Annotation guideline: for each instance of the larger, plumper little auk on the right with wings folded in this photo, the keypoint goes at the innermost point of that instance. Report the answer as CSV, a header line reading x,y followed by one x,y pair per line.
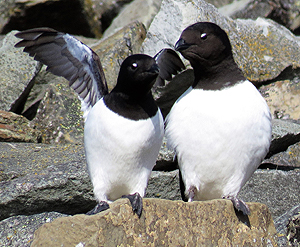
x,y
220,128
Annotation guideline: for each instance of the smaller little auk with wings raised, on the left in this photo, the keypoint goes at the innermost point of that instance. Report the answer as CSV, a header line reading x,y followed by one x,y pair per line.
x,y
124,128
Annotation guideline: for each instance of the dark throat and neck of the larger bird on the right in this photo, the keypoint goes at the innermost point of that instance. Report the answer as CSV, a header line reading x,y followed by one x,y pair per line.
x,y
217,77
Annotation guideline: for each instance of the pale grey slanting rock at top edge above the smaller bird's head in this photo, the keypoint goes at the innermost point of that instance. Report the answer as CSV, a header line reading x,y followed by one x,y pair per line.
x,y
138,10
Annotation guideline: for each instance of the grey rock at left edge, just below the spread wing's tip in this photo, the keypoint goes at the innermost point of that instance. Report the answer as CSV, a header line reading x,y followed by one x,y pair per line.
x,y
17,73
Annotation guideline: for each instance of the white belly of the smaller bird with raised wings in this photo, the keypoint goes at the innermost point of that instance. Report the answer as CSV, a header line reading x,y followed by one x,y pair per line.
x,y
120,152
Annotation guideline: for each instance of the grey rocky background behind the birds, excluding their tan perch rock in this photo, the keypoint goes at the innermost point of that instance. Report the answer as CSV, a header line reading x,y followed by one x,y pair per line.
x,y
42,164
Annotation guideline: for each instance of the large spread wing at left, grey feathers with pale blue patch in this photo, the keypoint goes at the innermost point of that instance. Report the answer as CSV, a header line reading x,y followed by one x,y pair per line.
x,y
66,56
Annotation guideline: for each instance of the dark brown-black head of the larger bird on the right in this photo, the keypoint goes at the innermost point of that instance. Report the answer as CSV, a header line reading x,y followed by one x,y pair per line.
x,y
204,43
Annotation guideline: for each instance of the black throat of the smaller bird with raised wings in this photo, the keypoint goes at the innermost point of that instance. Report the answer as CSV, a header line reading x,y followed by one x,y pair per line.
x,y
143,107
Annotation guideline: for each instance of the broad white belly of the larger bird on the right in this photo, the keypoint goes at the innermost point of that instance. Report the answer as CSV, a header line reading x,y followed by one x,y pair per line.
x,y
220,138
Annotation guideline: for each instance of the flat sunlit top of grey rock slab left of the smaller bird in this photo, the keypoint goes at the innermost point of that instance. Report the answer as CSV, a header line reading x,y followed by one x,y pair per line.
x,y
27,159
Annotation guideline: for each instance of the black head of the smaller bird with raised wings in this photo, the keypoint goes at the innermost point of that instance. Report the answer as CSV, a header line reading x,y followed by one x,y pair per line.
x,y
137,75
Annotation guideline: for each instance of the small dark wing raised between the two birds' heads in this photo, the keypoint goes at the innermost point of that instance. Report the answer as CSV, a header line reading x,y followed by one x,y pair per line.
x,y
169,64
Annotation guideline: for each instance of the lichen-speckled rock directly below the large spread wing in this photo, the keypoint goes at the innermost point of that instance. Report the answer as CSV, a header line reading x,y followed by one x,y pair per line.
x,y
59,115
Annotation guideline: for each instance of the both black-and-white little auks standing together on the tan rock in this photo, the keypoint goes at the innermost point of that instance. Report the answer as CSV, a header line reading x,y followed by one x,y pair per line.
x,y
220,128
